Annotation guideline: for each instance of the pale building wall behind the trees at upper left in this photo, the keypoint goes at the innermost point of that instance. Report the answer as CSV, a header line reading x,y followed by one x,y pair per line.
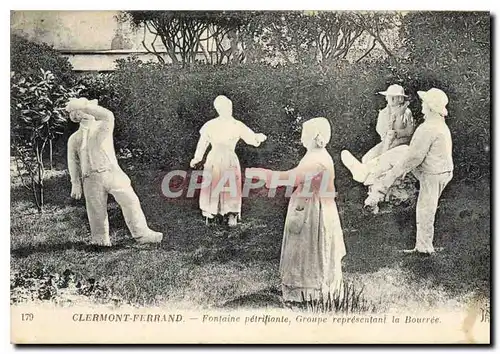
x,y
91,40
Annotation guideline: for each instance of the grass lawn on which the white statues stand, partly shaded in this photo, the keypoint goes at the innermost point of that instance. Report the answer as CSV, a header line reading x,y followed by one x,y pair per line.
x,y
214,266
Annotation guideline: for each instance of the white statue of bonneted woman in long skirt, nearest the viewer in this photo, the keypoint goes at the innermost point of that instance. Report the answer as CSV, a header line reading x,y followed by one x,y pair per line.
x,y
313,244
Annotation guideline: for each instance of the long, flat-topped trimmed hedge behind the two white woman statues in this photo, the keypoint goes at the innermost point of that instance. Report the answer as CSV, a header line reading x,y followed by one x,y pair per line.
x,y
161,111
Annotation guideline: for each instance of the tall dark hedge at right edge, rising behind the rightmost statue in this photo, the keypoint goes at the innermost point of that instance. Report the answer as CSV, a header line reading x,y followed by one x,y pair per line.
x,y
452,49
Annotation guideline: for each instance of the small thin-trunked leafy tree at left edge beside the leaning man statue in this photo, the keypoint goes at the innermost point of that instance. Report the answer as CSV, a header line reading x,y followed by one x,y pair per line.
x,y
37,118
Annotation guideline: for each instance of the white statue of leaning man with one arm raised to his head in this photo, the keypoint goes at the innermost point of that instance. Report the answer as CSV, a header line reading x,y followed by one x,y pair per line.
x,y
92,162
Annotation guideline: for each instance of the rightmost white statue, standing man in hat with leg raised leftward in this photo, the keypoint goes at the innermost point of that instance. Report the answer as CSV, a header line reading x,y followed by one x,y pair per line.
x,y
428,157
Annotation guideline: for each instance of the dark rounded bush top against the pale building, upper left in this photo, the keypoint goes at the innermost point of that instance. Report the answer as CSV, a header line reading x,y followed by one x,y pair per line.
x,y
27,58
